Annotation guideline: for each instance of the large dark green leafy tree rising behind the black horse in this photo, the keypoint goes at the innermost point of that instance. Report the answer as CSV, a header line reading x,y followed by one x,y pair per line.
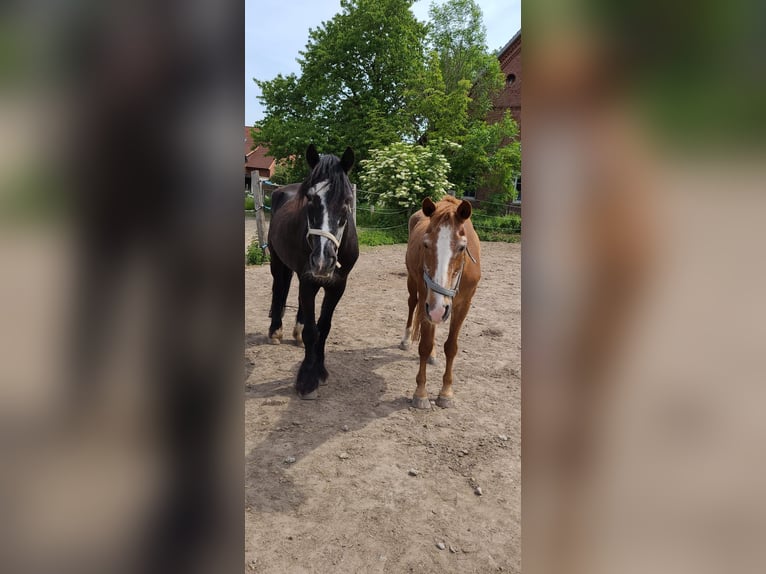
x,y
356,70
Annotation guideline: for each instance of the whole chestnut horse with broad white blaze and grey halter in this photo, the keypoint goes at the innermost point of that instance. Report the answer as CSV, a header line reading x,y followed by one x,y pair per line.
x,y
443,270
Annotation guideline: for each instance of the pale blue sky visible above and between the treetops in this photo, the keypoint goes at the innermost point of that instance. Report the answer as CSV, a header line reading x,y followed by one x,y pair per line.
x,y
276,30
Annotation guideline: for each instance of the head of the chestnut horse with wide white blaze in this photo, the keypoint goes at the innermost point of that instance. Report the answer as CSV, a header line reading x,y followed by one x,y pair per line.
x,y
444,245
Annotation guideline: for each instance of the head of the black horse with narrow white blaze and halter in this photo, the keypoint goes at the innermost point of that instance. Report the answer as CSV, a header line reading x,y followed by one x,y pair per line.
x,y
329,202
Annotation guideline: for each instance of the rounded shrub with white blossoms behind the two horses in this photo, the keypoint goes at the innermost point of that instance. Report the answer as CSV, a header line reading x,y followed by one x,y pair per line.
x,y
402,175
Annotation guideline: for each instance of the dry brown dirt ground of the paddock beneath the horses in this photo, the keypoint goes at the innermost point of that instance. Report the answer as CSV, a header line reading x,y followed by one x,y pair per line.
x,y
348,503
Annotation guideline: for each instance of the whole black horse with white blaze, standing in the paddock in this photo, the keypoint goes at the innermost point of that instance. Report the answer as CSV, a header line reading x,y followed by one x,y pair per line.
x,y
312,234
